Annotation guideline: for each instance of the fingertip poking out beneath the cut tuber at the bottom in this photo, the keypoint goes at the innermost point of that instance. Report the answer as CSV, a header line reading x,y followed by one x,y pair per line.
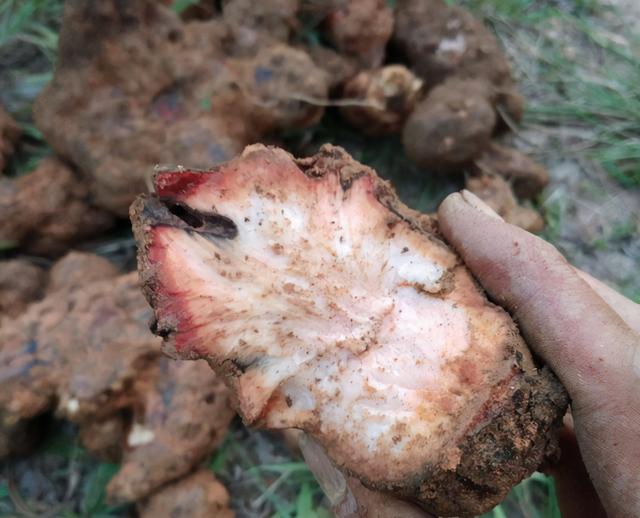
x,y
347,496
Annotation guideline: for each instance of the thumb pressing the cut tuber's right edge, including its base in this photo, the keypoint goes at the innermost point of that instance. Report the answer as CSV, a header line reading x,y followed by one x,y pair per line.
x,y
592,349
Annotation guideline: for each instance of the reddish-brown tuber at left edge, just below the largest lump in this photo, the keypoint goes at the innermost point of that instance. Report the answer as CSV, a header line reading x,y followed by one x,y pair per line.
x,y
49,209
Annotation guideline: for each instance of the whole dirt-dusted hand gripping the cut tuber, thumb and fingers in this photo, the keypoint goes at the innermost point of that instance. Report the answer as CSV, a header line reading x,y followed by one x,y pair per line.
x,y
589,335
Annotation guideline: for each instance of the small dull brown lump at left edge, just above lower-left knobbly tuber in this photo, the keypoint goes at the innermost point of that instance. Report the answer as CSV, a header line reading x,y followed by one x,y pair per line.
x,y
21,282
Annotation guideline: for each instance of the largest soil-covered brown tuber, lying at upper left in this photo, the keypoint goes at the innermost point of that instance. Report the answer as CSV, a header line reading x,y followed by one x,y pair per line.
x,y
137,86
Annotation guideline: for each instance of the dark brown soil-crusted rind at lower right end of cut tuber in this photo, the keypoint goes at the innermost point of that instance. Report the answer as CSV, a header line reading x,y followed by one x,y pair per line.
x,y
493,459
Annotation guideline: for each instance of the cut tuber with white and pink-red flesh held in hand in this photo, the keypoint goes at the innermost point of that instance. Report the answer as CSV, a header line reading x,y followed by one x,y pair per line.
x,y
331,307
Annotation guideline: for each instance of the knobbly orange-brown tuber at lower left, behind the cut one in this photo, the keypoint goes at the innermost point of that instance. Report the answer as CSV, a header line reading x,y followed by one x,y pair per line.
x,y
86,353
